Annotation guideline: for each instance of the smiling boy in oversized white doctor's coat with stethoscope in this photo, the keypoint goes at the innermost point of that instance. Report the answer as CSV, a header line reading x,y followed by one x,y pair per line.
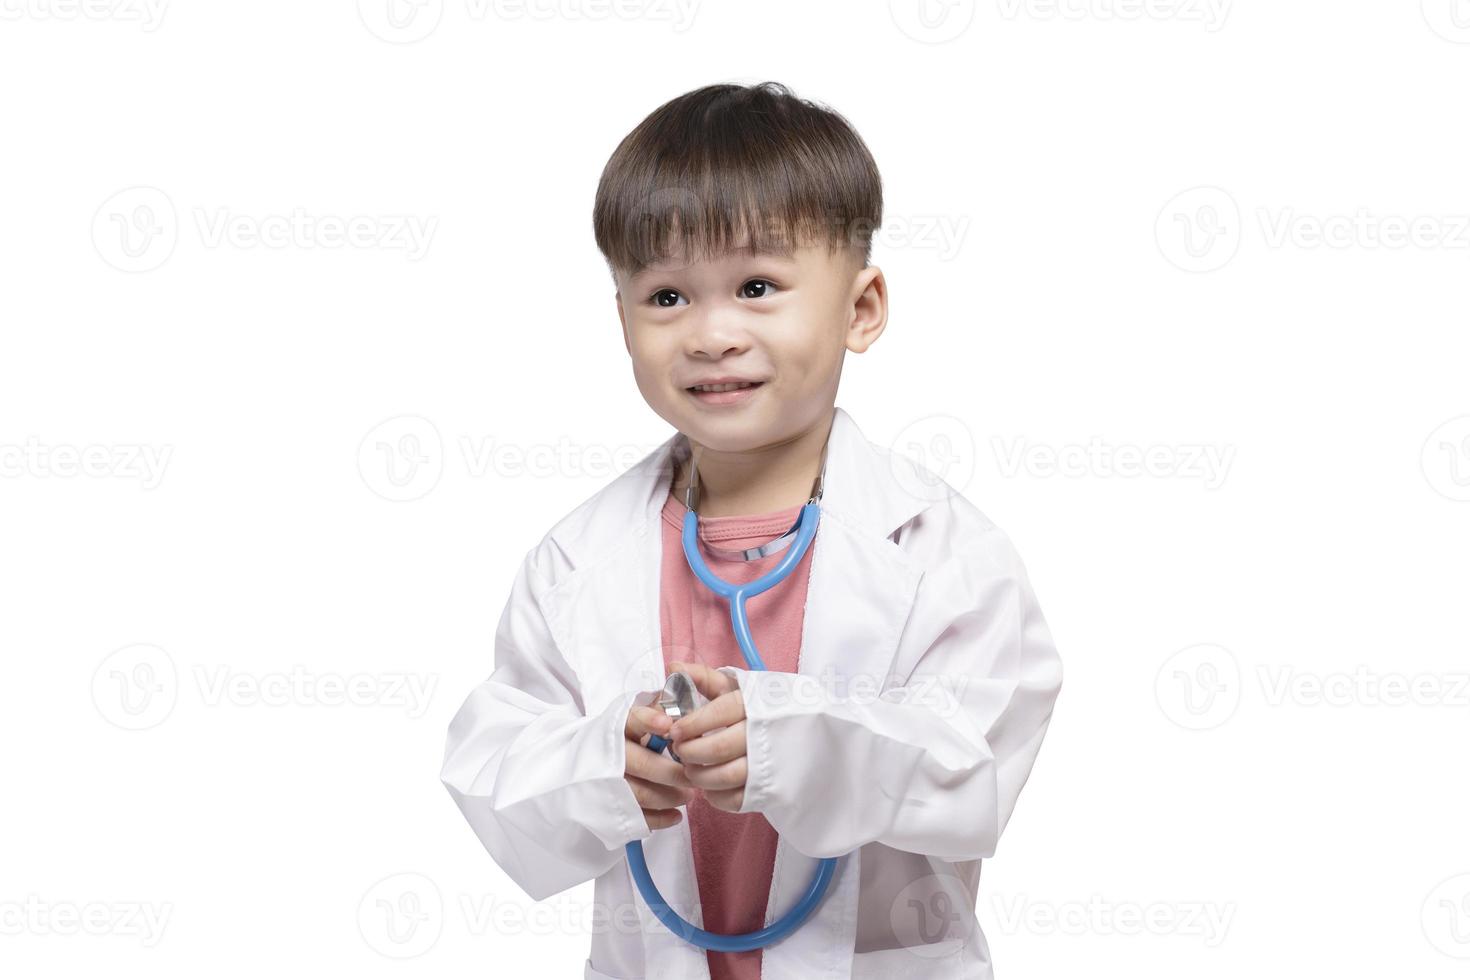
x,y
909,674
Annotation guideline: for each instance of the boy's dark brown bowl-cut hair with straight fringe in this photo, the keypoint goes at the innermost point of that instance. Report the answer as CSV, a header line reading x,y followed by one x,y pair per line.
x,y
728,159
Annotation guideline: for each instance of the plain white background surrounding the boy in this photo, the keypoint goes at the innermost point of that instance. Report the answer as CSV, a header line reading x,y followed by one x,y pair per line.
x,y
1258,760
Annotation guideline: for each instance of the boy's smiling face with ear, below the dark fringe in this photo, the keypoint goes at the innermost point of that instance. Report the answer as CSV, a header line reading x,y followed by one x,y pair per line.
x,y
783,321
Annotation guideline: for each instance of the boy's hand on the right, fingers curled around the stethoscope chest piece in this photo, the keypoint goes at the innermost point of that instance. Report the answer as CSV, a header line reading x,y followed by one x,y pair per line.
x,y
715,763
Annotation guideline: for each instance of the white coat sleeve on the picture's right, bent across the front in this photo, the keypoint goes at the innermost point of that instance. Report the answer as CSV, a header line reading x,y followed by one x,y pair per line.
x,y
934,766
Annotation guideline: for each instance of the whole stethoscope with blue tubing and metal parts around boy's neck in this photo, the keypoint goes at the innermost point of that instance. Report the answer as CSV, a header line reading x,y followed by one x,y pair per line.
x,y
680,697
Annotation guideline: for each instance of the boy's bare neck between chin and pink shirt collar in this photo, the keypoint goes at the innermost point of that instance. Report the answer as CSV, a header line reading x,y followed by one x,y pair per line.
x,y
756,481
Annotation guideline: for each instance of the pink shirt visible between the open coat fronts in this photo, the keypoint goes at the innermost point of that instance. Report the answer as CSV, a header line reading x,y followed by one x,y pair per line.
x,y
734,854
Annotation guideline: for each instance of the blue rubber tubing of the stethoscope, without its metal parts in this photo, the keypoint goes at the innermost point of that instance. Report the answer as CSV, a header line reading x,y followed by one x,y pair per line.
x,y
737,596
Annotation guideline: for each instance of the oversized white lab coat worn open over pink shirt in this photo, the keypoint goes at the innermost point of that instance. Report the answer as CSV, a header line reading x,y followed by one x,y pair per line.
x,y
918,594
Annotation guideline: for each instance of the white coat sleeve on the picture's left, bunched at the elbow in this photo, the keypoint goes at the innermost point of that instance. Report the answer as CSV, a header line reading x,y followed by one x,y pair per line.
x,y
537,775
